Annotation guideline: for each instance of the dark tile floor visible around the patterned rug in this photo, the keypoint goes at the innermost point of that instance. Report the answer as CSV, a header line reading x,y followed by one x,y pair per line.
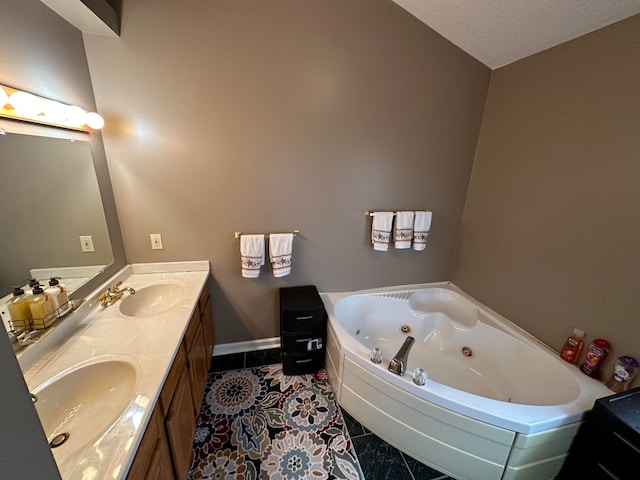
x,y
378,459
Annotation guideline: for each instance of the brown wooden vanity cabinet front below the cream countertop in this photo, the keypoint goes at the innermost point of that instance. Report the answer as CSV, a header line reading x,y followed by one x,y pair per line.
x,y
165,451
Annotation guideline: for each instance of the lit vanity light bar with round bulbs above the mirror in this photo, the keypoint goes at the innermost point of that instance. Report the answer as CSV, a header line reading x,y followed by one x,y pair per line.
x,y
18,105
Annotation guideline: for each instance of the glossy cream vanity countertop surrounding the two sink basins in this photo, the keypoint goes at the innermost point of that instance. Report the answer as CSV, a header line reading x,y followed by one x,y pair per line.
x,y
94,333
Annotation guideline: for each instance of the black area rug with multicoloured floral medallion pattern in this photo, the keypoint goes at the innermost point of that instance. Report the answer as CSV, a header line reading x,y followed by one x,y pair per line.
x,y
257,423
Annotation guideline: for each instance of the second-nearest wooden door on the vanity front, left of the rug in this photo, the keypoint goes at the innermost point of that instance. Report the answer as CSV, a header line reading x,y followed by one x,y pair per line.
x,y
180,424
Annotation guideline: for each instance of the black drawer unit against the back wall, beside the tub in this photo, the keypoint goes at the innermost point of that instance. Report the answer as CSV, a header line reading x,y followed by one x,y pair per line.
x,y
303,330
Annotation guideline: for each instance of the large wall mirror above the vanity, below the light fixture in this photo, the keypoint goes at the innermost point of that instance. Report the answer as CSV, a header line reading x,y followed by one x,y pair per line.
x,y
50,198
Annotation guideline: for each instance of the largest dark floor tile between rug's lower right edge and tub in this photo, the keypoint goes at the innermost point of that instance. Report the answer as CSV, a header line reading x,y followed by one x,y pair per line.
x,y
379,460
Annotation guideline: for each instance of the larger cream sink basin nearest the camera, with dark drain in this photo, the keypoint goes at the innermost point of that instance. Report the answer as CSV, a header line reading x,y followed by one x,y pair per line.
x,y
84,402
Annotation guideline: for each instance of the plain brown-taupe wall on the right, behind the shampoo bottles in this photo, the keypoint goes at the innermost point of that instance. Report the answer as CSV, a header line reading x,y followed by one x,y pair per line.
x,y
551,228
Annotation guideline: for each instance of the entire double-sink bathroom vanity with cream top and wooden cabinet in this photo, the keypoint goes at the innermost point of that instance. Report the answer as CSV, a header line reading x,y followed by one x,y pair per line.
x,y
124,382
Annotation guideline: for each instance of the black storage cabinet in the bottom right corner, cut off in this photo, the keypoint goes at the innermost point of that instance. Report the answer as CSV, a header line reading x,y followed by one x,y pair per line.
x,y
607,446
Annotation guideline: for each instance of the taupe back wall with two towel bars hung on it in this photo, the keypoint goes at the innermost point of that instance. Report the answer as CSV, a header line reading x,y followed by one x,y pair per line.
x,y
261,116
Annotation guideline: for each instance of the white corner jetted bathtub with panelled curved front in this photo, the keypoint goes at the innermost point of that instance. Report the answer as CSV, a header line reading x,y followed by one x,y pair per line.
x,y
498,403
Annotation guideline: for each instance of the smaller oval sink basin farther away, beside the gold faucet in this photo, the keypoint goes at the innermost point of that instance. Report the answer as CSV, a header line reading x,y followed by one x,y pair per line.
x,y
152,300
